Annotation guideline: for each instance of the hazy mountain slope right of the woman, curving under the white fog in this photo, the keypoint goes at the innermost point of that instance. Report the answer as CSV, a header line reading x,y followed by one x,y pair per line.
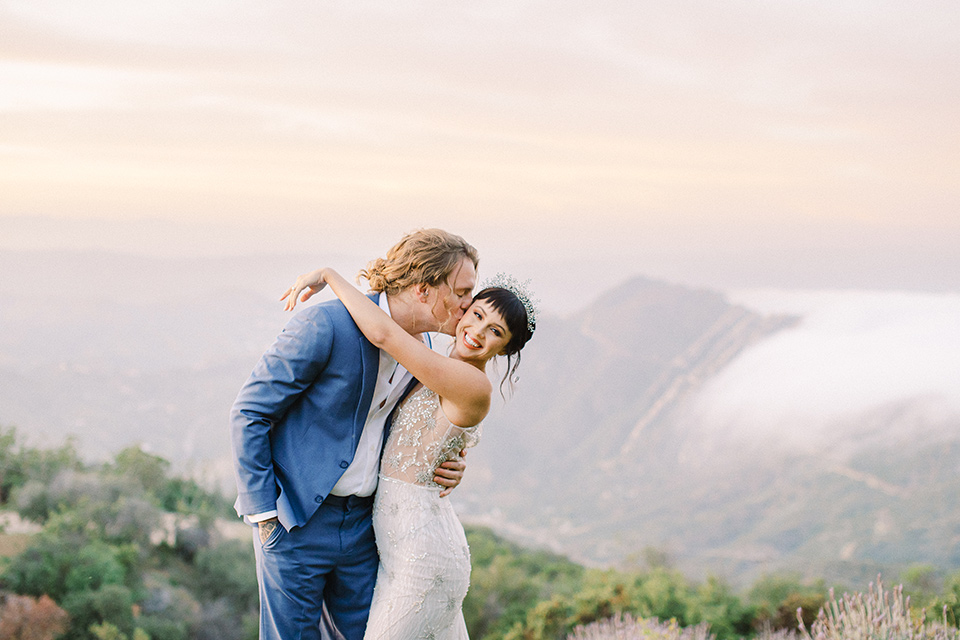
x,y
599,454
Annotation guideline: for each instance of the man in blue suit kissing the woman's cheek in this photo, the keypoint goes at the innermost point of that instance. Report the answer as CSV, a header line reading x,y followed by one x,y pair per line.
x,y
308,428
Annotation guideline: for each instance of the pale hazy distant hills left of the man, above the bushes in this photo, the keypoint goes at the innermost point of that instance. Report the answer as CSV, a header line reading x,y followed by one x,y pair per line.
x,y
119,350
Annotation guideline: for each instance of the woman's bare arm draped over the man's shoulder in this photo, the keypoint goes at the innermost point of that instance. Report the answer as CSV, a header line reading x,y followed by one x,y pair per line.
x,y
459,383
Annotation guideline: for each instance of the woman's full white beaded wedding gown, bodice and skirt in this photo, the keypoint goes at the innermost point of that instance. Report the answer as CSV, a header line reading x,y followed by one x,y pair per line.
x,y
424,560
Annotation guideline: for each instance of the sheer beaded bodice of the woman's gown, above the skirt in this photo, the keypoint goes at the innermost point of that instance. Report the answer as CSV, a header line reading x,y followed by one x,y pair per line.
x,y
421,439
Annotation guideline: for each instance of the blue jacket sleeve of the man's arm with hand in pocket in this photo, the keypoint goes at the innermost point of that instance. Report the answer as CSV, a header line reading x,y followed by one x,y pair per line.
x,y
291,364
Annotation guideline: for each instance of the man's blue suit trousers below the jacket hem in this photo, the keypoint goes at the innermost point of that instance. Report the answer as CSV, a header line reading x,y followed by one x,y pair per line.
x,y
329,562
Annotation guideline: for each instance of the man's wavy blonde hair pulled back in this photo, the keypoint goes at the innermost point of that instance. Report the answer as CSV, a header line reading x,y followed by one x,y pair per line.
x,y
426,256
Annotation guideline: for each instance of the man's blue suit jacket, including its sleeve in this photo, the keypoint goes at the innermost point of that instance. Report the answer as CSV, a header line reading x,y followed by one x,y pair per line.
x,y
296,423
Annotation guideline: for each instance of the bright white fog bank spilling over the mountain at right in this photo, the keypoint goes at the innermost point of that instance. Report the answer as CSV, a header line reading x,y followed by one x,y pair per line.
x,y
859,367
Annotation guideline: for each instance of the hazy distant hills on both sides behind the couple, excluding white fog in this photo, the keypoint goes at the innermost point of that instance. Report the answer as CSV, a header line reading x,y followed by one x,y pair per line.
x,y
599,454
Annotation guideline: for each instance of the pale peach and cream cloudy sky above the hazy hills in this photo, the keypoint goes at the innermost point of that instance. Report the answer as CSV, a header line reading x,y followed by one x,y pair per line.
x,y
791,144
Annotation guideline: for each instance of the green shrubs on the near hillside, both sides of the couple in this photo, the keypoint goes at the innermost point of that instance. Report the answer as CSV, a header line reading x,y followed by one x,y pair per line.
x,y
125,550
